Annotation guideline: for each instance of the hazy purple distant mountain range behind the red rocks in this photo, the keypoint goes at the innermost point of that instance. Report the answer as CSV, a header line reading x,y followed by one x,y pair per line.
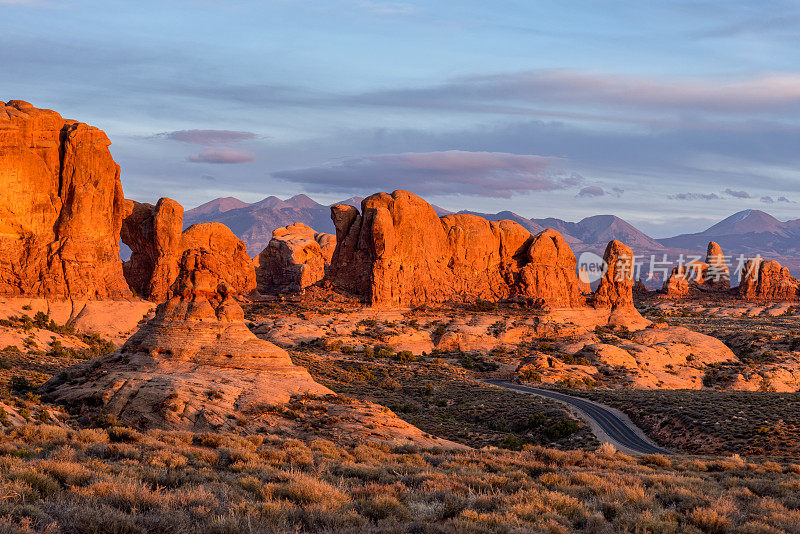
x,y
748,232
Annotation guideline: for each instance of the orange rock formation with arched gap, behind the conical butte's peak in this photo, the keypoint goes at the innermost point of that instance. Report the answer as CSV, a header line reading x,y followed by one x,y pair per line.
x,y
158,245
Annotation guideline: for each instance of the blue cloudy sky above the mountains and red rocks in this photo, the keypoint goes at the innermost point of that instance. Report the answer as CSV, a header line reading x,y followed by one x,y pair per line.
x,y
671,115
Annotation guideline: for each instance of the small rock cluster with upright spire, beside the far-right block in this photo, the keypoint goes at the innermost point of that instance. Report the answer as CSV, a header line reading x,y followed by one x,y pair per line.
x,y
696,277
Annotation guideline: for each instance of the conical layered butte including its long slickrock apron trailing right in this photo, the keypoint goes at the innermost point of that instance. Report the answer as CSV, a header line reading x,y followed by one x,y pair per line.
x,y
196,366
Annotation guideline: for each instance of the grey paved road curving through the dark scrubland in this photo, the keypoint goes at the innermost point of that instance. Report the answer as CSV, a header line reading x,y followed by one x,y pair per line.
x,y
622,432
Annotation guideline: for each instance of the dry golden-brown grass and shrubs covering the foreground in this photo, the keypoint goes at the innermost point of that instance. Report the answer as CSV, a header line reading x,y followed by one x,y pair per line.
x,y
59,480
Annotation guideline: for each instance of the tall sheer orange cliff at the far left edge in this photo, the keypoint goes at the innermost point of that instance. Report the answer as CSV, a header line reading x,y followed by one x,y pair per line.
x,y
61,208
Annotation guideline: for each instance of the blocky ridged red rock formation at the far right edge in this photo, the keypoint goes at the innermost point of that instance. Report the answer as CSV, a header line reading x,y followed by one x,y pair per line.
x,y
768,281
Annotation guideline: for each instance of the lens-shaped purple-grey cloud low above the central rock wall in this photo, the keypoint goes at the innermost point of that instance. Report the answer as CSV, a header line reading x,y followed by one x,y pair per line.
x,y
491,174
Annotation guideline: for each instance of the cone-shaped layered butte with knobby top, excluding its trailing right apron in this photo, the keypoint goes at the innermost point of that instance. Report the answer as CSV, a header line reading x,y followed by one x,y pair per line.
x,y
195,365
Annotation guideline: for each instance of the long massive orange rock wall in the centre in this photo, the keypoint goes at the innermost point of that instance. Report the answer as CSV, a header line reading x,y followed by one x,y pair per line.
x,y
398,252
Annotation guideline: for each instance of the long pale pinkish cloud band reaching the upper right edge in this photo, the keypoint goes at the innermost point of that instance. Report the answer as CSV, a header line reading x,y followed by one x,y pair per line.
x,y
769,92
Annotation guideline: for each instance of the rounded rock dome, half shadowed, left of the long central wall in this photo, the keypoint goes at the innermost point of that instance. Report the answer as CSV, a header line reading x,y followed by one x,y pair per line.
x,y
296,258
